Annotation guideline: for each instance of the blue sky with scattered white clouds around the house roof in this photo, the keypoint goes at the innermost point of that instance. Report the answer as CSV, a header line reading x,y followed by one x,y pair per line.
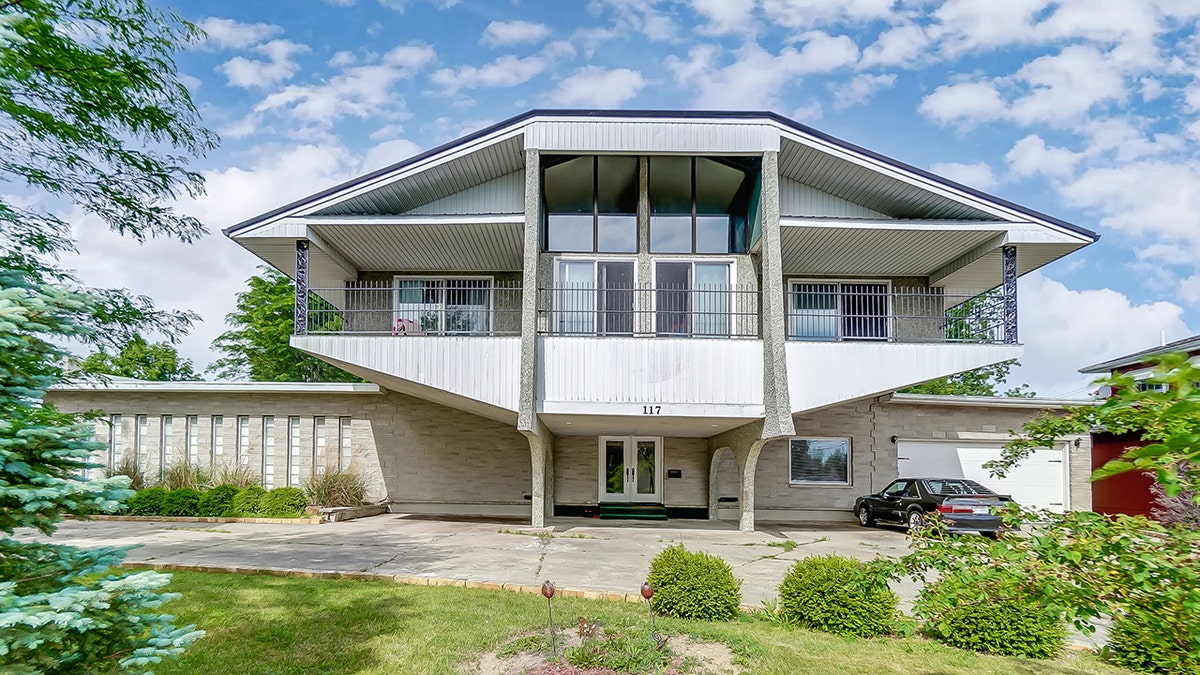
x,y
1085,110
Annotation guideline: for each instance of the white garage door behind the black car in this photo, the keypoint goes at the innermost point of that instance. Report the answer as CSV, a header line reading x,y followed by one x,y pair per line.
x,y
1039,482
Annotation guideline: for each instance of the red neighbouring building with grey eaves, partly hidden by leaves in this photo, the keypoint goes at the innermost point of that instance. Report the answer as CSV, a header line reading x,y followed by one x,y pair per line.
x,y
1129,493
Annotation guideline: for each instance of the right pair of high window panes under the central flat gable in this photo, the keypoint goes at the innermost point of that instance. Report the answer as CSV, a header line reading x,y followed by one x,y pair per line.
x,y
699,205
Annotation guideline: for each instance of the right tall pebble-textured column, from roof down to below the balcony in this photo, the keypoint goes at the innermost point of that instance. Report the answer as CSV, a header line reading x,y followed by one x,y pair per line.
x,y
777,403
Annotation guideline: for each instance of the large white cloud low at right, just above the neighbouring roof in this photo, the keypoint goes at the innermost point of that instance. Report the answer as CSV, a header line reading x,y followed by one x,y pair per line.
x,y
1065,330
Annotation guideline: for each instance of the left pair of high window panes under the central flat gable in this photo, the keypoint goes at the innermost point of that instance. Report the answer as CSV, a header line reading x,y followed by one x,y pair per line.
x,y
591,205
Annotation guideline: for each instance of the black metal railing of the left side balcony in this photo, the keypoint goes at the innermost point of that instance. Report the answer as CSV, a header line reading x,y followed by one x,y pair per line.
x,y
417,307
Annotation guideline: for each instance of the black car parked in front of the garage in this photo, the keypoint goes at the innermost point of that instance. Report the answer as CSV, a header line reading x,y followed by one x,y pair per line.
x,y
964,505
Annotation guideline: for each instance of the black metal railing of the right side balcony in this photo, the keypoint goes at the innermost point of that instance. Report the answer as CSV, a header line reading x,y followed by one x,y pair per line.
x,y
819,312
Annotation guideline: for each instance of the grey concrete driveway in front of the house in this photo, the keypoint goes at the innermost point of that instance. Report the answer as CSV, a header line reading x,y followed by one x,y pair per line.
x,y
585,554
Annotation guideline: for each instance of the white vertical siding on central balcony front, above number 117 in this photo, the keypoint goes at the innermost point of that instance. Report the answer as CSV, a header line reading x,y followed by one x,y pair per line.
x,y
633,371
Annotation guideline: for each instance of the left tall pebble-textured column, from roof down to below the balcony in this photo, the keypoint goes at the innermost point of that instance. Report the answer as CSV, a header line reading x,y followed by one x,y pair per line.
x,y
527,402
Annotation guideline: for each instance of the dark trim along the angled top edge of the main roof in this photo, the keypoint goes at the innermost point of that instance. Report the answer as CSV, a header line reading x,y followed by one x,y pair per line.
x,y
650,115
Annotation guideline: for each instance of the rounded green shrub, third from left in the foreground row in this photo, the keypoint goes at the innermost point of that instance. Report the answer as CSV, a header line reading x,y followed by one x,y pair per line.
x,y
1009,626
